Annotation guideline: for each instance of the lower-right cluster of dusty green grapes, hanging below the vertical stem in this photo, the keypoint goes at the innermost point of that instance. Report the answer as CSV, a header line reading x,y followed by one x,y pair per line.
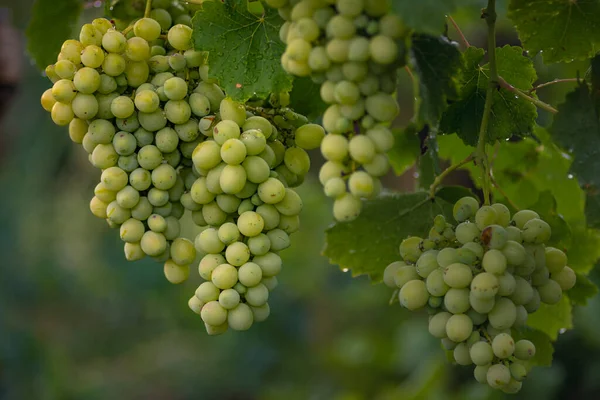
x,y
479,281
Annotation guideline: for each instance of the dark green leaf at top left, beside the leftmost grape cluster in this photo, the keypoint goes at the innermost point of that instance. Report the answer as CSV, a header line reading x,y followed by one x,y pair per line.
x,y
52,22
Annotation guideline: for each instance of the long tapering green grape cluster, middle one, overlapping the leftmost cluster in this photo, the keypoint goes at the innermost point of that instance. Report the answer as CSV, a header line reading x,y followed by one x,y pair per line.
x,y
246,207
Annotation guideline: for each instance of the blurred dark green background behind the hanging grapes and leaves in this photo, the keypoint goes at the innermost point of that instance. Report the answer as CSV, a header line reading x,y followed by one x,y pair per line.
x,y
79,322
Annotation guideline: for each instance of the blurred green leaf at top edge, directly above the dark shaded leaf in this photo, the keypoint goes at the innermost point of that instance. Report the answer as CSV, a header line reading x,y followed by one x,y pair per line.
x,y
429,16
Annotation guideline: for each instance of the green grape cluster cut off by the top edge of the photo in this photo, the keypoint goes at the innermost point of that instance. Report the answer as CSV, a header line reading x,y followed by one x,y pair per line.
x,y
353,48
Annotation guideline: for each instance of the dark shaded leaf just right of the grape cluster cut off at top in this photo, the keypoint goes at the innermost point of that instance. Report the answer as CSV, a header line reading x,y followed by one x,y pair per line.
x,y
436,63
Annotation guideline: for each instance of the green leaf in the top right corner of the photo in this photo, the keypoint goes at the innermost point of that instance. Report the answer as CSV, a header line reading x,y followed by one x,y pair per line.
x,y
563,30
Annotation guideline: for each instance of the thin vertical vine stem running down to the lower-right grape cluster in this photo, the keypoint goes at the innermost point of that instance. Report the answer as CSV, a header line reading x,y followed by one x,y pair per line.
x,y
489,14
